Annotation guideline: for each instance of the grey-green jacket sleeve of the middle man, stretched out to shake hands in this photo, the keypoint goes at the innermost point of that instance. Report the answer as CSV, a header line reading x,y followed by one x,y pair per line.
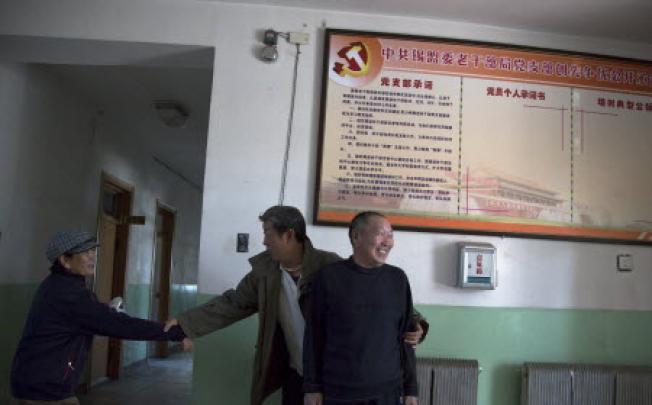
x,y
223,310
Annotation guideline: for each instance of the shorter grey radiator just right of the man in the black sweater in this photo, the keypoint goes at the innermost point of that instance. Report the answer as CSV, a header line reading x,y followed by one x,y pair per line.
x,y
447,381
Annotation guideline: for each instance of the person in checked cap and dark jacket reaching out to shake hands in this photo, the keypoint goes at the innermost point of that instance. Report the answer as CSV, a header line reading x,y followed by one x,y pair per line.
x,y
62,321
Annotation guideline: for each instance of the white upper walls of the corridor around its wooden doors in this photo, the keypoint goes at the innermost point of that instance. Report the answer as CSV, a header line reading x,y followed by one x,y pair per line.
x,y
51,158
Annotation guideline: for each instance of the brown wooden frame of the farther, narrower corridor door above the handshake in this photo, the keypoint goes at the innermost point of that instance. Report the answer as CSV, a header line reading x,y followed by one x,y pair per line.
x,y
163,310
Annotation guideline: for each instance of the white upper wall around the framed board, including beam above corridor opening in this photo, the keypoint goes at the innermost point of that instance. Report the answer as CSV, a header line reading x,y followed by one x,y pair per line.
x,y
246,139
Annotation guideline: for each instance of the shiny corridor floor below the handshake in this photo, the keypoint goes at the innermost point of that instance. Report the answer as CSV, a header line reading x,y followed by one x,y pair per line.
x,y
155,382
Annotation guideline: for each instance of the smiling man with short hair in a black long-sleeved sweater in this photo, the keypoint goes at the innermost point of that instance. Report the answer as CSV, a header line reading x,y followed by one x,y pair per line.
x,y
354,353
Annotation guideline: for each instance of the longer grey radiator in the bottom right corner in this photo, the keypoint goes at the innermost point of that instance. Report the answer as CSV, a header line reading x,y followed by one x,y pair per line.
x,y
583,384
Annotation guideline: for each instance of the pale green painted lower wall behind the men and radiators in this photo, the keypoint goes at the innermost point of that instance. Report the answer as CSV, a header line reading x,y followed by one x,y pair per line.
x,y
501,339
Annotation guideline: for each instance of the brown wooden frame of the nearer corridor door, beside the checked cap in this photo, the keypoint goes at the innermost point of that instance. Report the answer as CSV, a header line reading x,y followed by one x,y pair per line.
x,y
125,194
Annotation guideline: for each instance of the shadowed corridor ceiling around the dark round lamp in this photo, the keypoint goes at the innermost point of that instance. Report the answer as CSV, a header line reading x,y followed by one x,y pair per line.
x,y
126,94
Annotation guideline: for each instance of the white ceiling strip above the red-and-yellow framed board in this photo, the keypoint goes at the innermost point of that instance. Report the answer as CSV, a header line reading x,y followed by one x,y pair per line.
x,y
627,20
